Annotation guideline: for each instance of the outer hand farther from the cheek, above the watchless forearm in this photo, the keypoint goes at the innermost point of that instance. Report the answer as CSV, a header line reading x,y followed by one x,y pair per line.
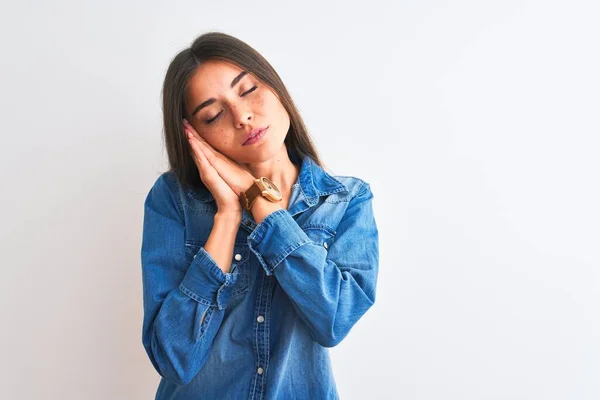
x,y
227,200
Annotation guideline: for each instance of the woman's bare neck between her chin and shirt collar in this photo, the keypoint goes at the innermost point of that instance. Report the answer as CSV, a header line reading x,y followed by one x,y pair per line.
x,y
279,169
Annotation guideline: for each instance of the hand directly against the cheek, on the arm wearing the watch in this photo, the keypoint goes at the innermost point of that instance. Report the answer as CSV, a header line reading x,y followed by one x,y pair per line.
x,y
238,178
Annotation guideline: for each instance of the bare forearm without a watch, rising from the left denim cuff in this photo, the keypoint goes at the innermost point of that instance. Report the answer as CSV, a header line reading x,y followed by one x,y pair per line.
x,y
221,240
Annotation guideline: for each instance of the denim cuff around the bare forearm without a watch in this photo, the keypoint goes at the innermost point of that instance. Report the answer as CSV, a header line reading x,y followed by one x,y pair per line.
x,y
206,283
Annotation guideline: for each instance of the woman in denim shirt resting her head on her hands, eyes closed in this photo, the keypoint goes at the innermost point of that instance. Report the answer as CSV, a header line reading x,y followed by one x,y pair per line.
x,y
255,260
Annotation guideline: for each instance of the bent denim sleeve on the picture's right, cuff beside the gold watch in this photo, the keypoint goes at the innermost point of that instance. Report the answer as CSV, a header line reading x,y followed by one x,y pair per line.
x,y
329,288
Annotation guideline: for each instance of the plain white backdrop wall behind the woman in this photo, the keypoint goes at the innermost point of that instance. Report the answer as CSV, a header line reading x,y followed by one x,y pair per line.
x,y
476,123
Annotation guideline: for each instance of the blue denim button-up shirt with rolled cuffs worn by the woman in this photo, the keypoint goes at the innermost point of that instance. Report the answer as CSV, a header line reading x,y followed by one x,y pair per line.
x,y
299,280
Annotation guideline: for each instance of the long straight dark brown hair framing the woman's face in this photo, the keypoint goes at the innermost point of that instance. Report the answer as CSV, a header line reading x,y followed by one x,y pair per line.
x,y
221,46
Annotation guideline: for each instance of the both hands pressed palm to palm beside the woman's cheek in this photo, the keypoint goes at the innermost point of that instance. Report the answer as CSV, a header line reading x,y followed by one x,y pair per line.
x,y
225,178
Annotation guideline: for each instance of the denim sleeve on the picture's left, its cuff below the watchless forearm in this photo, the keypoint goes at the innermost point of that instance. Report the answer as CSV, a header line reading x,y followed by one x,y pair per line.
x,y
183,302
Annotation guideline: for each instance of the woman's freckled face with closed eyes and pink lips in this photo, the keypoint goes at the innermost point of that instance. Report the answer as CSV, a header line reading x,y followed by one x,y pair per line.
x,y
224,105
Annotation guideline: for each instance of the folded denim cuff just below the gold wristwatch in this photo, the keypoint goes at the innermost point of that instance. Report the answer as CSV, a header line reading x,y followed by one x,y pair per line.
x,y
277,235
